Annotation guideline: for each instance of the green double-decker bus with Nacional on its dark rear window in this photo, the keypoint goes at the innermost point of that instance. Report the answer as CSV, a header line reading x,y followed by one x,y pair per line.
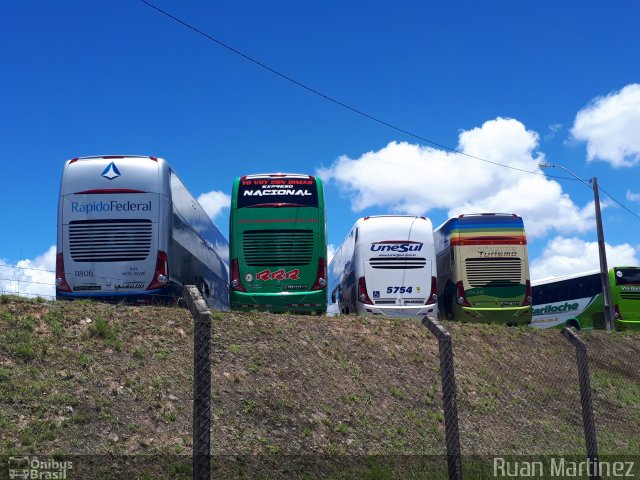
x,y
278,245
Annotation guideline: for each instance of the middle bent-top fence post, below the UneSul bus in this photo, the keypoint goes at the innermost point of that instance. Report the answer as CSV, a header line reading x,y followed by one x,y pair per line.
x,y
448,380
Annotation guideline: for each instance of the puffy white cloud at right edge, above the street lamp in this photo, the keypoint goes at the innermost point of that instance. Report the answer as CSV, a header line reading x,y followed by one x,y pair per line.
x,y
609,125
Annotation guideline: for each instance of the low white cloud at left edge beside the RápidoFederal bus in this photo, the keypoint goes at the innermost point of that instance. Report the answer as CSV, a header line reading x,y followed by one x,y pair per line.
x,y
30,277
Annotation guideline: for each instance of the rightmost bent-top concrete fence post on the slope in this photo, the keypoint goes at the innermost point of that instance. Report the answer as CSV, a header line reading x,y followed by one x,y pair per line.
x,y
588,422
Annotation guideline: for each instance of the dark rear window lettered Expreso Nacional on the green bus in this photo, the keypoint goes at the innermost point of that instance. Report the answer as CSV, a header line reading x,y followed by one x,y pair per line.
x,y
277,192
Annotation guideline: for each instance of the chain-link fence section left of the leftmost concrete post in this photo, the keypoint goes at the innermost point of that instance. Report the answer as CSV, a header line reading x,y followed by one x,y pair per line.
x,y
101,386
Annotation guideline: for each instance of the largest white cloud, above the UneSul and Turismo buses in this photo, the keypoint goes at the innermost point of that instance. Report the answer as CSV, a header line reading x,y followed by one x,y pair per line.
x,y
413,179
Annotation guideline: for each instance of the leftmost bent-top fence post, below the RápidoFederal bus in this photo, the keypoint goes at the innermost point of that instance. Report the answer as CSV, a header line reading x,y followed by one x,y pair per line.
x,y
201,383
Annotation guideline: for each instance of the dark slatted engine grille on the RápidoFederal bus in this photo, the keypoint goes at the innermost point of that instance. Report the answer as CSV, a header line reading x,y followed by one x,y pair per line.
x,y
109,240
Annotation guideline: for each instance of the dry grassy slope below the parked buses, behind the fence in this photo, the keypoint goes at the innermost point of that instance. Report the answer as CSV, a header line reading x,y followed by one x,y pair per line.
x,y
86,378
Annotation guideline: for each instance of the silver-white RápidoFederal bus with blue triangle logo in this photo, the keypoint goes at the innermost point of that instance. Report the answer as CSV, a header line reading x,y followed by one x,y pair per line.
x,y
129,229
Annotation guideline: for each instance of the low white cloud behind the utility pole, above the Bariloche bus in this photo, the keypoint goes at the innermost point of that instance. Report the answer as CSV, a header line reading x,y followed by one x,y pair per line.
x,y
564,256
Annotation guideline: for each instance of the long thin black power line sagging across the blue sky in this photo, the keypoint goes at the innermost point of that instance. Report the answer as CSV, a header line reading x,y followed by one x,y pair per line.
x,y
353,109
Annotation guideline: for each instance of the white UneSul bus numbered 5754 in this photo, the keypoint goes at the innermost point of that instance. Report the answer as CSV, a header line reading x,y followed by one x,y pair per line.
x,y
385,266
